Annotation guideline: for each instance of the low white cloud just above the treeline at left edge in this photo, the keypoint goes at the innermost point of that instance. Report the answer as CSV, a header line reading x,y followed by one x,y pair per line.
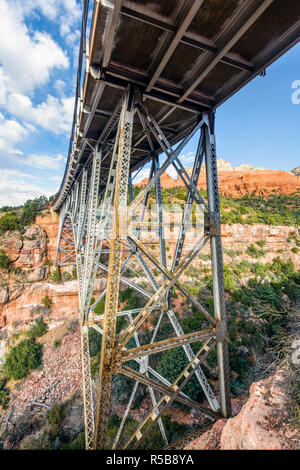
x,y
24,187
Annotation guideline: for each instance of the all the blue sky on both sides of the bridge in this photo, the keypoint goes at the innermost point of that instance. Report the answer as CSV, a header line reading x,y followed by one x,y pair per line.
x,y
38,64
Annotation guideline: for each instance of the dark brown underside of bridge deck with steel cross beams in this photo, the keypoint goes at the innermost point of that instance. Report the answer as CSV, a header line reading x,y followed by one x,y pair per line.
x,y
185,56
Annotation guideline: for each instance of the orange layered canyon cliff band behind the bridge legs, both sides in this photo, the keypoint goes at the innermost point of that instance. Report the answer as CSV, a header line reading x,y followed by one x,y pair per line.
x,y
21,300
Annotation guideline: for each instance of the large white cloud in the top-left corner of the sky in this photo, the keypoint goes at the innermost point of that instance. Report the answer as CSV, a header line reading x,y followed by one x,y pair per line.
x,y
26,59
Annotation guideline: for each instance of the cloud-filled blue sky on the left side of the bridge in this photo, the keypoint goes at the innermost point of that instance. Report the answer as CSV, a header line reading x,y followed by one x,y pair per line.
x,y
38,65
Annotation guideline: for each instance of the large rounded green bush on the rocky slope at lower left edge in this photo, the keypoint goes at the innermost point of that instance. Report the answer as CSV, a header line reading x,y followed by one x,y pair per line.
x,y
22,358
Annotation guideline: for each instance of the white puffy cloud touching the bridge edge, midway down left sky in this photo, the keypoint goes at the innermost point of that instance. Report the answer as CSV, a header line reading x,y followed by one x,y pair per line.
x,y
54,114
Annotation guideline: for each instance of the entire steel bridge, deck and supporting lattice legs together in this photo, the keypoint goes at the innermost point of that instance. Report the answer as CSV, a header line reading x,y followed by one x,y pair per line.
x,y
150,77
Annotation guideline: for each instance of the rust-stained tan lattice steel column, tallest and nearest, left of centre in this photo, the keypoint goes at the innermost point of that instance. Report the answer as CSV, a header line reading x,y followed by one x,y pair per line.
x,y
119,230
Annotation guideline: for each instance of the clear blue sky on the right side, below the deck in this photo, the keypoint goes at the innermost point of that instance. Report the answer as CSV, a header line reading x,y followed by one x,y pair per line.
x,y
260,124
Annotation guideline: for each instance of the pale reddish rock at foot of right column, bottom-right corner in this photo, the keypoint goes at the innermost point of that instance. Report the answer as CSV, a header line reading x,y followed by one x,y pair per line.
x,y
262,423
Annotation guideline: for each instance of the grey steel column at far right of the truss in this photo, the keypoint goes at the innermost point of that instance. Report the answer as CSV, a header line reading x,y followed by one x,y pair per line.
x,y
217,264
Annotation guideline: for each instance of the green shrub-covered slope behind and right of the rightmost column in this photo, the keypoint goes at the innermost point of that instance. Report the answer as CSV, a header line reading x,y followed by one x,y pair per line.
x,y
257,319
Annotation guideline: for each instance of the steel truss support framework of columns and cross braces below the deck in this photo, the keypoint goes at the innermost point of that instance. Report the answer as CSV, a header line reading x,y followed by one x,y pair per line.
x,y
102,230
